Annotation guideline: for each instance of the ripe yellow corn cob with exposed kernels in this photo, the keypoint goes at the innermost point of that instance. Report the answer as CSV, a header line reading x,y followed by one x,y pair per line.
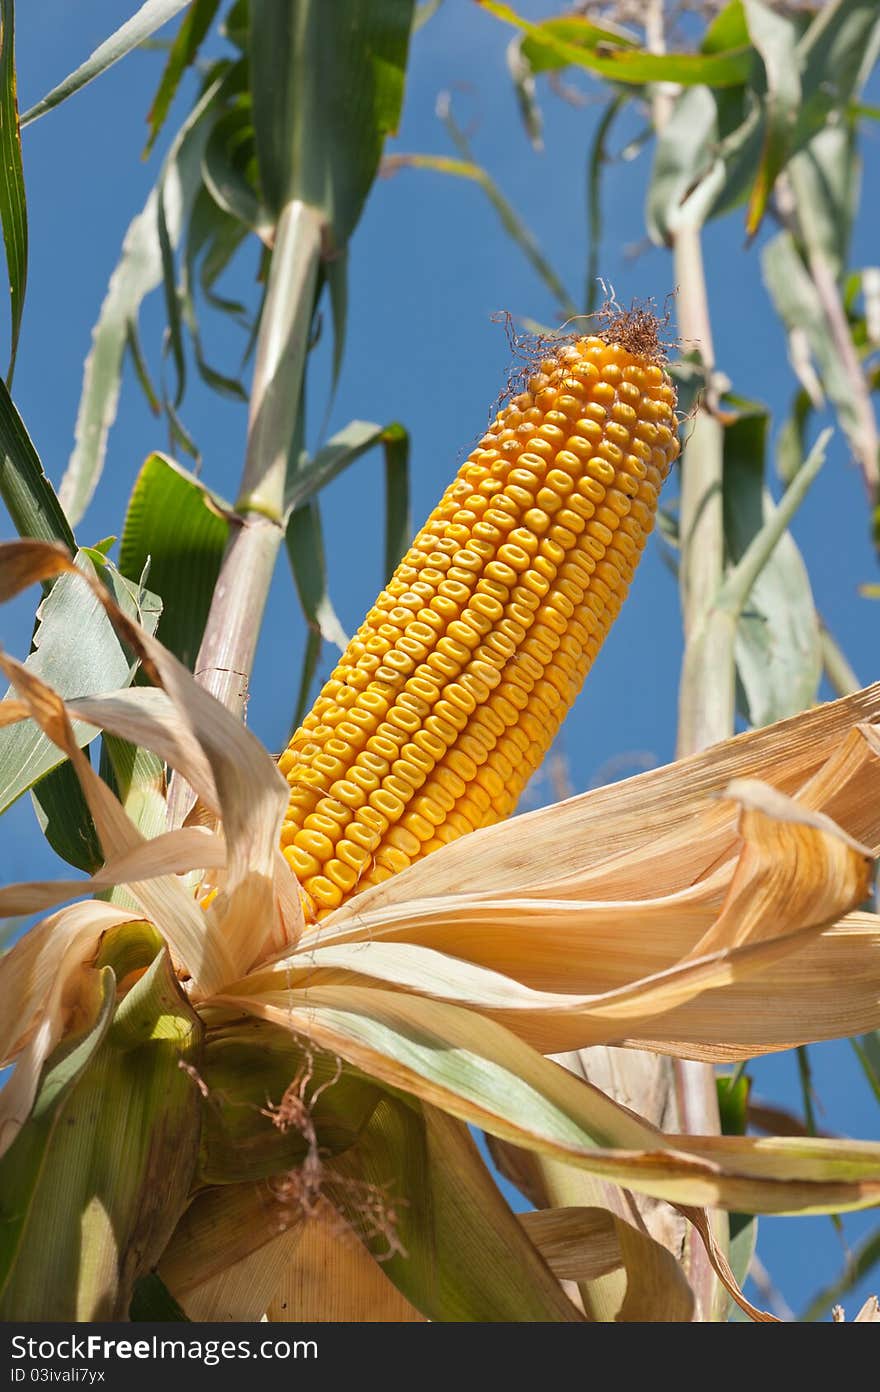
x,y
456,686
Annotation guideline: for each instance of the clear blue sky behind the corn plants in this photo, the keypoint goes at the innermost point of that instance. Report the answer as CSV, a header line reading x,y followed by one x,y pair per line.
x,y
430,268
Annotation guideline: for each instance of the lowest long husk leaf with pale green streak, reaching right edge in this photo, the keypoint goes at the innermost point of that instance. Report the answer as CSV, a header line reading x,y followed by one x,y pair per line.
x,y
469,1066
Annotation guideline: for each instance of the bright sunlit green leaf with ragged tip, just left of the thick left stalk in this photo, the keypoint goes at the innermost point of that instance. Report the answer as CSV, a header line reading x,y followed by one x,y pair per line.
x,y
178,525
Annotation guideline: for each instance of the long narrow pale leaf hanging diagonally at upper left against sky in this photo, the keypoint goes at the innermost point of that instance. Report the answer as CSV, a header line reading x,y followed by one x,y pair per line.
x,y
139,272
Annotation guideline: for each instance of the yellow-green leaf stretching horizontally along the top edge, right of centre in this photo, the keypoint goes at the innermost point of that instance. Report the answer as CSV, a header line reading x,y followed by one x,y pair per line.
x,y
556,44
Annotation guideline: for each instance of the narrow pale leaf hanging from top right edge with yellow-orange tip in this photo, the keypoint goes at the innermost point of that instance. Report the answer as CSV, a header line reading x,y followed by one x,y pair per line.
x,y
776,40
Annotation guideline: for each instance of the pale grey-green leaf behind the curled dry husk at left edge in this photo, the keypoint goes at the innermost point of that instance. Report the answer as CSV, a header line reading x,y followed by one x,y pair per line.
x,y
76,651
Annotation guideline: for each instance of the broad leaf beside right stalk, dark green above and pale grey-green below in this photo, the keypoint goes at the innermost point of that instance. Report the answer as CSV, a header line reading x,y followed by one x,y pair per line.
x,y
779,648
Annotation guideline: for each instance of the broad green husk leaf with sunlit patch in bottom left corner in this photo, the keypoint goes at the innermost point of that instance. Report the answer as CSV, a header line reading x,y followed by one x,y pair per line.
x,y
118,1167
